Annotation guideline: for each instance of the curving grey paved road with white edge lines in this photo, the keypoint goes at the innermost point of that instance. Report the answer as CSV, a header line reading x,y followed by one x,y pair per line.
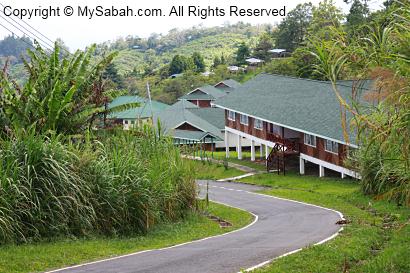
x,y
281,226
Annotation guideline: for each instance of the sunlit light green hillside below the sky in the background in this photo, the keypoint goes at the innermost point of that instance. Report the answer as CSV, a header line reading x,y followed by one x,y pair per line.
x,y
136,54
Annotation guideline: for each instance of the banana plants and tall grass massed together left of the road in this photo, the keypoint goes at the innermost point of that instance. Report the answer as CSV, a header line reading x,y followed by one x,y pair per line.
x,y
59,176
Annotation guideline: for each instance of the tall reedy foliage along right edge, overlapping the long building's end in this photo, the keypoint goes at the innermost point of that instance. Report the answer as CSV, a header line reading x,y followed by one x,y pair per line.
x,y
382,54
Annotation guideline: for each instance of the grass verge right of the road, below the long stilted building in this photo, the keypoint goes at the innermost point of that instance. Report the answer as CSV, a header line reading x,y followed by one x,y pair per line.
x,y
376,240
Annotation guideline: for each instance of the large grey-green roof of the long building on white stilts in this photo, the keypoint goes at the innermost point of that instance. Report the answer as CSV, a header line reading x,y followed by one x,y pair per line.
x,y
305,105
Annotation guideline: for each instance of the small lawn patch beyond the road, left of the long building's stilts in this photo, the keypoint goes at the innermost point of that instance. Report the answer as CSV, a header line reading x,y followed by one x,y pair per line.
x,y
213,171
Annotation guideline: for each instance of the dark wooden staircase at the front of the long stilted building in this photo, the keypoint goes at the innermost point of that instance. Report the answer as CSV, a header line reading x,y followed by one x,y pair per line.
x,y
277,157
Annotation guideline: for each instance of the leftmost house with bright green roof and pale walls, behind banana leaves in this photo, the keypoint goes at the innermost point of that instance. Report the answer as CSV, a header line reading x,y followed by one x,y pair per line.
x,y
138,115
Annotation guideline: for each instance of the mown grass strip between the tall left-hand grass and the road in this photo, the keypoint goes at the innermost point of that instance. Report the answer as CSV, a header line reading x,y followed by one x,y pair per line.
x,y
48,255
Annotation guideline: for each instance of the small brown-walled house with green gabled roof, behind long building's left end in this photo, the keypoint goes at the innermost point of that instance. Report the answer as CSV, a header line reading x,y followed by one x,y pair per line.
x,y
204,95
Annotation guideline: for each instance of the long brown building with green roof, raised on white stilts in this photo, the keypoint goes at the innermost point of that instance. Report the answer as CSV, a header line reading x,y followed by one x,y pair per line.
x,y
289,117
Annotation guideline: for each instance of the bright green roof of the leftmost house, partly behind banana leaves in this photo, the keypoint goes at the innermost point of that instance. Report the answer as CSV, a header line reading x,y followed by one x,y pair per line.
x,y
144,111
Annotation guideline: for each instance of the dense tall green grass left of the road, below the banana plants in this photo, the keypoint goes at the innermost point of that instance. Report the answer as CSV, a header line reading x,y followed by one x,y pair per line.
x,y
121,183
